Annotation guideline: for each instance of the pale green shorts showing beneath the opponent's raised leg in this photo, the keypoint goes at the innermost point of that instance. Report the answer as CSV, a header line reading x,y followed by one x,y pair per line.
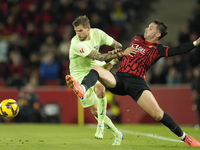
x,y
90,98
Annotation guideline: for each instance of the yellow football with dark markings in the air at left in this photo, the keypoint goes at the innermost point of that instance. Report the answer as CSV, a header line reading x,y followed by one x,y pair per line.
x,y
9,108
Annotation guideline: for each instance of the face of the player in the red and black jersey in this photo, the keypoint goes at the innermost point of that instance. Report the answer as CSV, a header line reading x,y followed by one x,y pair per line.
x,y
151,32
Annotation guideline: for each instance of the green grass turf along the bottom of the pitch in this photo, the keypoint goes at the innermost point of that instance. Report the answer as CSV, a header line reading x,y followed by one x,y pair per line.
x,y
73,137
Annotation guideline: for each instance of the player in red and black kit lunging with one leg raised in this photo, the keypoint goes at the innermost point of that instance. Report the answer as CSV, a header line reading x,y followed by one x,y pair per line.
x,y
130,78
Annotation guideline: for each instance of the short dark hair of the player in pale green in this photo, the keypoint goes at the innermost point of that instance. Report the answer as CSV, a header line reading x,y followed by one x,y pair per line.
x,y
81,20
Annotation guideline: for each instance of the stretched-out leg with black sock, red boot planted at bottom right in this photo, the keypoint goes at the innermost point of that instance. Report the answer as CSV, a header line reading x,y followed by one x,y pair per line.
x,y
150,105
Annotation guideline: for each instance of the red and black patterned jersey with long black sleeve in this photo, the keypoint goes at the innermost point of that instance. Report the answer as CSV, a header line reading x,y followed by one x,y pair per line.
x,y
147,54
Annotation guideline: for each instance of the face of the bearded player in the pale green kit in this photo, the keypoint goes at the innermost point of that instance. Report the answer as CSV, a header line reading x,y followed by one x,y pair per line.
x,y
82,33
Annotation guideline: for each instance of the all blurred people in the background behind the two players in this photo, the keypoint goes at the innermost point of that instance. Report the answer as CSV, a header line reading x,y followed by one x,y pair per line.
x,y
35,39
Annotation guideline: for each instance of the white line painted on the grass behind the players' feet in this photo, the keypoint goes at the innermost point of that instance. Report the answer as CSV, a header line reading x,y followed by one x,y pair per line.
x,y
143,134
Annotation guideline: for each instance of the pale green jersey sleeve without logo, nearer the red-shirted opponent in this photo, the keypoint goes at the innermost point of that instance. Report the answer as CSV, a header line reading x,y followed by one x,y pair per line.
x,y
105,38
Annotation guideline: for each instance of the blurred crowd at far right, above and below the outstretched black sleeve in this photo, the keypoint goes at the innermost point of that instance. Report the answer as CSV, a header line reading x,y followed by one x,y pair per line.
x,y
179,69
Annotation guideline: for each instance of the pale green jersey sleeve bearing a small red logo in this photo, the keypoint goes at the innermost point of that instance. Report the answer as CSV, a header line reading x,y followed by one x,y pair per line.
x,y
81,49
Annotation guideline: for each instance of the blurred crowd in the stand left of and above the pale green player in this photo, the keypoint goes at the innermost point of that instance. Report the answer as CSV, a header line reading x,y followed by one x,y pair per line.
x,y
35,35
